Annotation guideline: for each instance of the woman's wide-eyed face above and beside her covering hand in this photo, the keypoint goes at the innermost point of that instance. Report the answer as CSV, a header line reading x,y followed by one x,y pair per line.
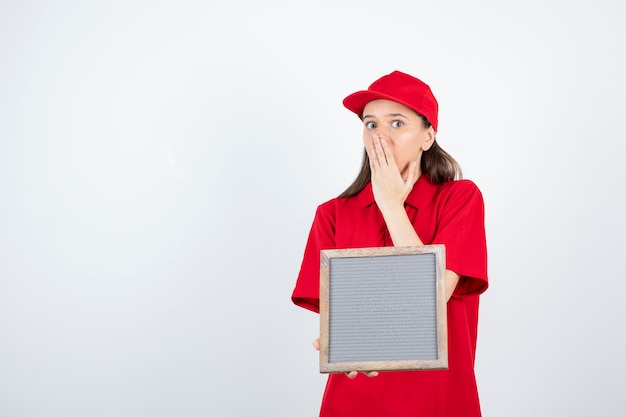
x,y
401,127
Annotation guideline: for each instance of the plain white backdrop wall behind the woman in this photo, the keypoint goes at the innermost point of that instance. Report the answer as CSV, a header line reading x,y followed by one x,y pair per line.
x,y
161,162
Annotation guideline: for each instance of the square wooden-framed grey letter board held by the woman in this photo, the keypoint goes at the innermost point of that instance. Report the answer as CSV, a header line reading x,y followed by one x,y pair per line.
x,y
383,309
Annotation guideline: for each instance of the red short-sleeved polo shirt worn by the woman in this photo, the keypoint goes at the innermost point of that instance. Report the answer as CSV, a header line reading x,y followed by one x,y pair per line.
x,y
452,214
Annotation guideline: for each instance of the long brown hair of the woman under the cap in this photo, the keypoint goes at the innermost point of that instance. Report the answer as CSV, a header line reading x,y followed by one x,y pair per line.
x,y
435,162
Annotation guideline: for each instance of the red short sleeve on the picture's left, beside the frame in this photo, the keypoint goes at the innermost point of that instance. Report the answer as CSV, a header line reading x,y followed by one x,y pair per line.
x,y
321,236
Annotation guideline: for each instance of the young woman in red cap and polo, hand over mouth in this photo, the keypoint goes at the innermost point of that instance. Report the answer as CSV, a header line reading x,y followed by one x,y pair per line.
x,y
408,193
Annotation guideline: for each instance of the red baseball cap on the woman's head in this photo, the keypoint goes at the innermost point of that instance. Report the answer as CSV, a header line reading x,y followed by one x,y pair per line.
x,y
401,88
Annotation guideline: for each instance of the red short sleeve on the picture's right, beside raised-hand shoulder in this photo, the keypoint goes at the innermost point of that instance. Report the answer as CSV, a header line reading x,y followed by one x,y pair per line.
x,y
461,228
